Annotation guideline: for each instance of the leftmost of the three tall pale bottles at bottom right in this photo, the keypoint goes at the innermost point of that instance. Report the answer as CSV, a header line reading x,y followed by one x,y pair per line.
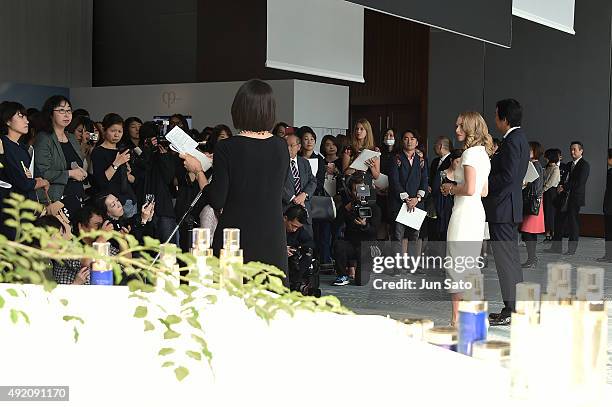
x,y
524,339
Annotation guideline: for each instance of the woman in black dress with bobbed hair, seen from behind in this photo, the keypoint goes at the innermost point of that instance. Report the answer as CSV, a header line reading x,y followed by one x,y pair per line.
x,y
250,171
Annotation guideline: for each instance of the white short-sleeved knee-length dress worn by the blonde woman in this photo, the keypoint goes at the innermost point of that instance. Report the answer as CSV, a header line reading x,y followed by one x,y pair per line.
x,y
466,228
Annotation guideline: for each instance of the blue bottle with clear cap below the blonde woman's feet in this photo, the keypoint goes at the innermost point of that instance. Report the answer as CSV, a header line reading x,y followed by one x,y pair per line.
x,y
472,321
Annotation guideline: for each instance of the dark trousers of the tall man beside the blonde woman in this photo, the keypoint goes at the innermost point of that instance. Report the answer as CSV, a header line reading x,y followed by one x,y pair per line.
x,y
504,244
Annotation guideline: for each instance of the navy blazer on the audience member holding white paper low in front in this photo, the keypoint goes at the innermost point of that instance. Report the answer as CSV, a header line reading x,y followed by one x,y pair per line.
x,y
404,177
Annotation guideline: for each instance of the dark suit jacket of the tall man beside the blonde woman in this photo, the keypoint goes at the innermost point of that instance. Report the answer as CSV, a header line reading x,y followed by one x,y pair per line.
x,y
504,203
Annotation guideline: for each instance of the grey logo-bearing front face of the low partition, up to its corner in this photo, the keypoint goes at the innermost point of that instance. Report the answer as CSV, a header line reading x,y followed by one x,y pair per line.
x,y
208,103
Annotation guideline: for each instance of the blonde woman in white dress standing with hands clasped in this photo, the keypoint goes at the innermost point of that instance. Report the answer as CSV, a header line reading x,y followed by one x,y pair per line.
x,y
467,222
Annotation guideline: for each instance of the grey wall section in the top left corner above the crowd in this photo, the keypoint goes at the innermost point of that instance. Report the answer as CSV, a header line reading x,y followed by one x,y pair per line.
x,y
46,42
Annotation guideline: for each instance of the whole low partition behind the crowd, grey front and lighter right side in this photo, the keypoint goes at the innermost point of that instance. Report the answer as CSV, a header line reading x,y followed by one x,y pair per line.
x,y
297,102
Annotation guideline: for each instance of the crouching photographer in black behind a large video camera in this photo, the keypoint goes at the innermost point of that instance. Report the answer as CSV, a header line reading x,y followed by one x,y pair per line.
x,y
362,218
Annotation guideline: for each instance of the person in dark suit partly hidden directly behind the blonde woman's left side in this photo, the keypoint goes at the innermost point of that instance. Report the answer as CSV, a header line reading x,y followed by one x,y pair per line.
x,y
442,148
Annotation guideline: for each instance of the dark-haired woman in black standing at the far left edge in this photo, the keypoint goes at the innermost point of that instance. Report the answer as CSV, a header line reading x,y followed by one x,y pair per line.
x,y
13,126
